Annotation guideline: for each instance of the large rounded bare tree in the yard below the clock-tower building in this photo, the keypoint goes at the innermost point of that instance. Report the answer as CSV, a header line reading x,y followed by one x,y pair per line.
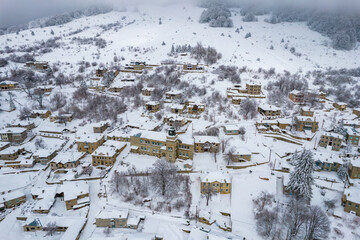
x,y
164,177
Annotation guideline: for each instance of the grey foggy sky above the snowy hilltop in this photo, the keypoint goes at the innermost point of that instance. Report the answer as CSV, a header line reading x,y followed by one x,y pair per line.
x,y
14,12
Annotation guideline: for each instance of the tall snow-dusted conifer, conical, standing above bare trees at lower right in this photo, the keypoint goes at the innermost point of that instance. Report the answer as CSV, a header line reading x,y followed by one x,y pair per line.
x,y
301,179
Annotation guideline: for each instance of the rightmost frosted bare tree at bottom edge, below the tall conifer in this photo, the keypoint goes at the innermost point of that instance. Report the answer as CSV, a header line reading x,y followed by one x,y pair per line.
x,y
317,225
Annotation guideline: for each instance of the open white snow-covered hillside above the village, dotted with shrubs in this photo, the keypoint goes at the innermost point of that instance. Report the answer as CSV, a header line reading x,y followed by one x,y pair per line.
x,y
180,26
